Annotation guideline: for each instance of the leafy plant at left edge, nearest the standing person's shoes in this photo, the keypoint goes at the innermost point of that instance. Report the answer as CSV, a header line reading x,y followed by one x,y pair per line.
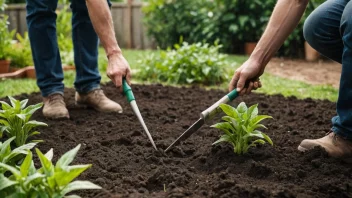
x,y
15,120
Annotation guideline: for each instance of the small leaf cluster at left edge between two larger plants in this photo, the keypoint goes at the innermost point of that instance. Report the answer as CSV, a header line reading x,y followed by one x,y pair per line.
x,y
11,157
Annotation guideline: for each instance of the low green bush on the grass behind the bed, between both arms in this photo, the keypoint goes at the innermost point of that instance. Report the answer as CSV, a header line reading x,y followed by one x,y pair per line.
x,y
196,63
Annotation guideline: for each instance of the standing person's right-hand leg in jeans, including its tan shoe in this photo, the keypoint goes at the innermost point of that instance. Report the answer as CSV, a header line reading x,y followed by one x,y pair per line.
x,y
85,42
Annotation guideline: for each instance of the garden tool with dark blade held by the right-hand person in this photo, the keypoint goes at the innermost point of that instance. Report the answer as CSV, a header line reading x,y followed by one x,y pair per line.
x,y
205,116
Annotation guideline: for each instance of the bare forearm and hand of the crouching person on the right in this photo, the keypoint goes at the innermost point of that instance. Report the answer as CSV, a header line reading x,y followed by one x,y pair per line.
x,y
285,17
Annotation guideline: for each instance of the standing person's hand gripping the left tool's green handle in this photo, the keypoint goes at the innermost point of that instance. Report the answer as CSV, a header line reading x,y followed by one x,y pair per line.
x,y
118,68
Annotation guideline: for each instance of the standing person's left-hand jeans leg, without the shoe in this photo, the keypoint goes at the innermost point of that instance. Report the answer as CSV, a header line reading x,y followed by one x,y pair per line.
x,y
41,22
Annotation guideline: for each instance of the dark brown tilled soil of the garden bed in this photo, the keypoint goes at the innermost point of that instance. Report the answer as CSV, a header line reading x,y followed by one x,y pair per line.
x,y
126,165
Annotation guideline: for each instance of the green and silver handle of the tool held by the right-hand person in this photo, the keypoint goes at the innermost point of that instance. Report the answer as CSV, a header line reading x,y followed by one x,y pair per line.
x,y
214,109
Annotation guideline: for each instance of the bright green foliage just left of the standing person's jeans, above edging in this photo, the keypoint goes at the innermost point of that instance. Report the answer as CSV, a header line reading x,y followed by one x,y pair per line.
x,y
21,54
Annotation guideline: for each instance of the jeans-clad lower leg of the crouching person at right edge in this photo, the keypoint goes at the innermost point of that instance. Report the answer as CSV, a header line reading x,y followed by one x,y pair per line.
x,y
342,124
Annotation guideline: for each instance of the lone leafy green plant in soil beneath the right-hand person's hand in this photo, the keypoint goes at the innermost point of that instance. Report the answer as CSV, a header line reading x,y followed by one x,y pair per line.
x,y
241,127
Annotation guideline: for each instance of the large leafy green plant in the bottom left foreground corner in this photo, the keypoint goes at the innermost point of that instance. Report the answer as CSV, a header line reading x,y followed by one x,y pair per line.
x,y
47,182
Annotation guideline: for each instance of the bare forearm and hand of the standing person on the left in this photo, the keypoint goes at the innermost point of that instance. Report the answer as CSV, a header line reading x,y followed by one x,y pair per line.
x,y
101,18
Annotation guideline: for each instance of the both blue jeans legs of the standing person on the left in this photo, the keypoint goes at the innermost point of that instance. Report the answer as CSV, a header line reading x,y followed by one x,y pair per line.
x,y
41,22
